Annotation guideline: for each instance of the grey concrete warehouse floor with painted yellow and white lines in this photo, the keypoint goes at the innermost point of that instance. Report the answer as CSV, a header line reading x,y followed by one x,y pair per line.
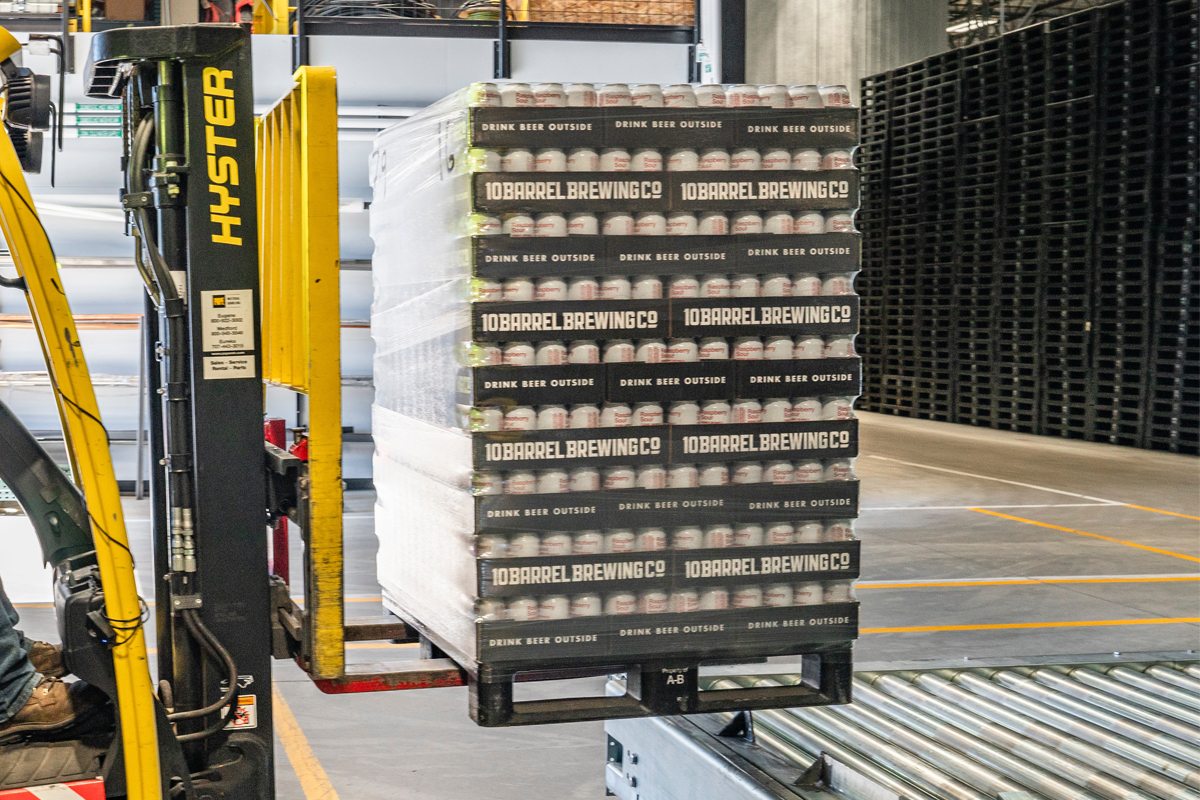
x,y
1073,549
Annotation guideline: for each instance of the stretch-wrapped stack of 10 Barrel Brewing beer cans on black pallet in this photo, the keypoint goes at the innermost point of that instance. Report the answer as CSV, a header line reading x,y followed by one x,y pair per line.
x,y
615,372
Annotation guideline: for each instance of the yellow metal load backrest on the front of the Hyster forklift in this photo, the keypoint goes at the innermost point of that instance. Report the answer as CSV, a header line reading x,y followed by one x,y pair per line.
x,y
302,335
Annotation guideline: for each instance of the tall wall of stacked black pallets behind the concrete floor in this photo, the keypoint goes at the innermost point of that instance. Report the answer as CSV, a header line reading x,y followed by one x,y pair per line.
x,y
1030,224
